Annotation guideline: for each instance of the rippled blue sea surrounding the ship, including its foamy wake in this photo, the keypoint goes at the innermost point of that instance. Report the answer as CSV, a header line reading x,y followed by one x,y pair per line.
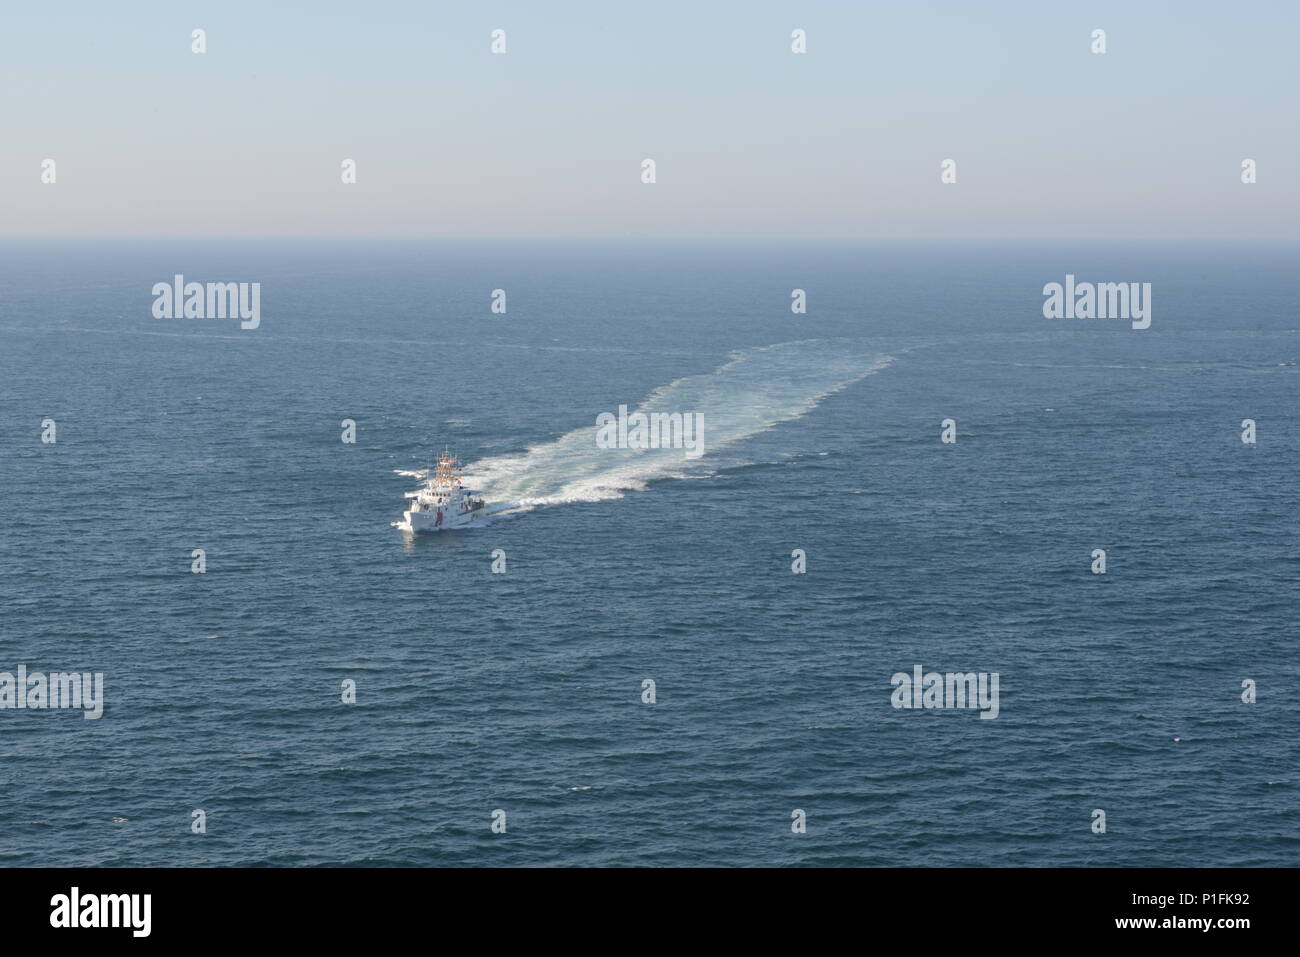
x,y
523,691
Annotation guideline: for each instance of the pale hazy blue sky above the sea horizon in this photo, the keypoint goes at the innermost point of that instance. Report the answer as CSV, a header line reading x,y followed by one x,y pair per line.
x,y
749,138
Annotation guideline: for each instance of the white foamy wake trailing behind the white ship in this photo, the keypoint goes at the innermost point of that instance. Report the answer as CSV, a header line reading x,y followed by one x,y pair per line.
x,y
753,392
